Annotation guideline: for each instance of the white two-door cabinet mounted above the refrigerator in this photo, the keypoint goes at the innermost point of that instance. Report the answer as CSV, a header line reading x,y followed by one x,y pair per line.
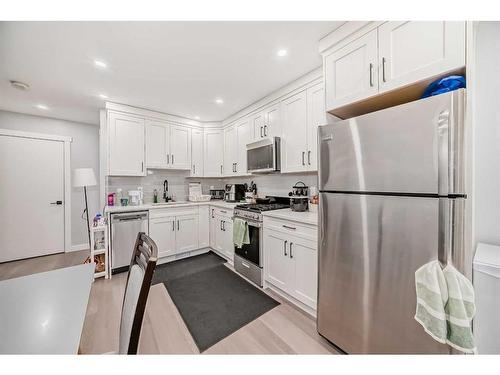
x,y
390,56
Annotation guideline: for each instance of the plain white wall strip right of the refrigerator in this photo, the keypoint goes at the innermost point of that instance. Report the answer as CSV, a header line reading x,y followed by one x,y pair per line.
x,y
487,134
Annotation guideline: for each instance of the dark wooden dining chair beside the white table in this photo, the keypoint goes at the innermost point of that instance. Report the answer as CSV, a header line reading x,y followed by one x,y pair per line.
x,y
139,277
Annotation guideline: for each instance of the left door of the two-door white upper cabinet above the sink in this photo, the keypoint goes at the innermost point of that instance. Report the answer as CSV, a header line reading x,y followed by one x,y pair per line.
x,y
157,144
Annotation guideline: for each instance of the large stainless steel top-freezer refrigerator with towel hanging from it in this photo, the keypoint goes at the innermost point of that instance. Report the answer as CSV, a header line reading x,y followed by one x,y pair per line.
x,y
392,198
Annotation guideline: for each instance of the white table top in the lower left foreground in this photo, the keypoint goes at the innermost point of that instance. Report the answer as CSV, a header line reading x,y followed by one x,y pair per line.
x,y
44,313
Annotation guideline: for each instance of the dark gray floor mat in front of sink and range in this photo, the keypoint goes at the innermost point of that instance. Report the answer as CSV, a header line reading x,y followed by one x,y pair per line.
x,y
213,301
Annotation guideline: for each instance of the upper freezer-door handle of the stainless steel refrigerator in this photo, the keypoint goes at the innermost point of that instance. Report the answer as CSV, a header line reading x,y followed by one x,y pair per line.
x,y
444,169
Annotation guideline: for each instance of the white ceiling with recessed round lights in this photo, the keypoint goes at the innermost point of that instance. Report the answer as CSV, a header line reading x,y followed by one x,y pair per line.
x,y
174,67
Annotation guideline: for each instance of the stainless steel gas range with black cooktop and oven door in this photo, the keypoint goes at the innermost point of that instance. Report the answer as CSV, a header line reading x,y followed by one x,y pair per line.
x,y
248,260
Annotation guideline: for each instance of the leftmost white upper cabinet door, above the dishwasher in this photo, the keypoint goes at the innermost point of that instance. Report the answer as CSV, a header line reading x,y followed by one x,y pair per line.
x,y
126,145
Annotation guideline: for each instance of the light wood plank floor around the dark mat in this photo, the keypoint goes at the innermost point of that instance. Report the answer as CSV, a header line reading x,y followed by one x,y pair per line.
x,y
282,330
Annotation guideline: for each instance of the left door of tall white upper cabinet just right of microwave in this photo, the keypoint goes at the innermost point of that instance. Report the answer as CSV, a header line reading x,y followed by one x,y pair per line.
x,y
294,141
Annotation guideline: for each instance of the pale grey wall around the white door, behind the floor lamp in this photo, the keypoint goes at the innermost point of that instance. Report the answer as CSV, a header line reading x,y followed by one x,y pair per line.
x,y
84,153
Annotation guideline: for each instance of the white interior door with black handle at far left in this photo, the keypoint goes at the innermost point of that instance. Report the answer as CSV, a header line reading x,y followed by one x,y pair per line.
x,y
32,180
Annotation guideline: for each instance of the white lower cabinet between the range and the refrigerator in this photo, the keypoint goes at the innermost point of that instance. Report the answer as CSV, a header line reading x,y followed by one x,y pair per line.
x,y
291,263
